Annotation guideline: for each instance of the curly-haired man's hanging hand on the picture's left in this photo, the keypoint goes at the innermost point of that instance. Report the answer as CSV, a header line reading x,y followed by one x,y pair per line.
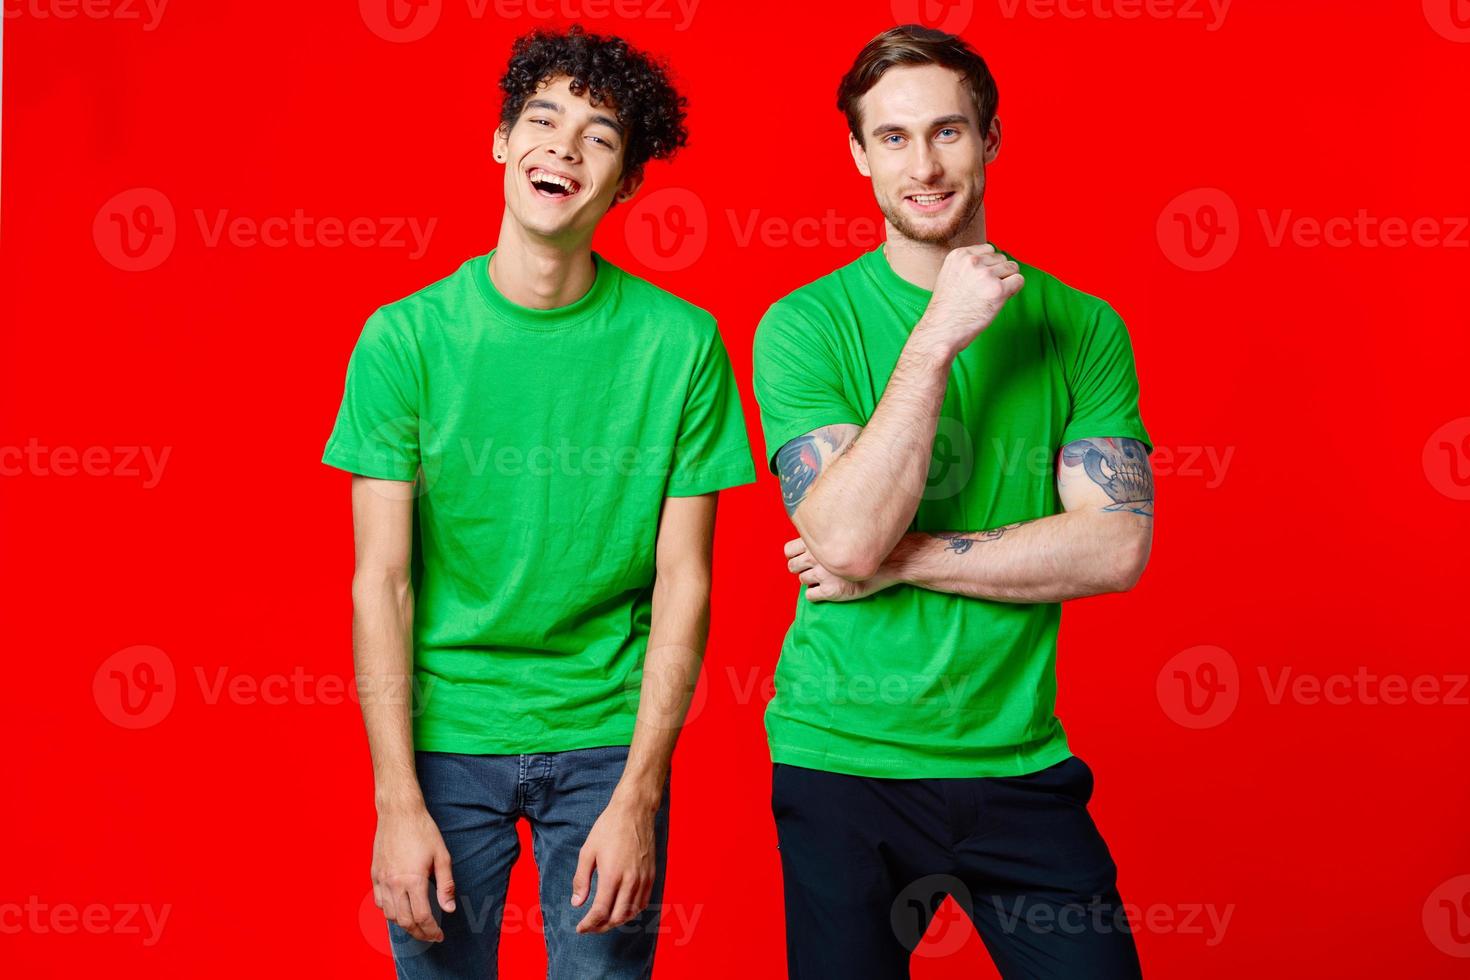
x,y
405,851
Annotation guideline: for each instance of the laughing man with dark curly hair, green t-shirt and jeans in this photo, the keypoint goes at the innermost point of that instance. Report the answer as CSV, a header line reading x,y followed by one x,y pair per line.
x,y
537,444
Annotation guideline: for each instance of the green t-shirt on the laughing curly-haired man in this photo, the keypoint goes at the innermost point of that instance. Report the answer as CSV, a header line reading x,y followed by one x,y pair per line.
x,y
546,444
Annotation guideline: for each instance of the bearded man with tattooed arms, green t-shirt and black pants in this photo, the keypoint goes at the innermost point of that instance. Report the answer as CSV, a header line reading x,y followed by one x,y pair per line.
x,y
959,446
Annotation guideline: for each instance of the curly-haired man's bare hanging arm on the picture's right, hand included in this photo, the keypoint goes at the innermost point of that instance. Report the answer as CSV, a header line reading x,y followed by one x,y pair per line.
x,y
621,844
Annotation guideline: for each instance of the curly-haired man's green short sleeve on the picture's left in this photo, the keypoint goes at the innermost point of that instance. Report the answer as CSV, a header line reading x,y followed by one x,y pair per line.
x,y
377,431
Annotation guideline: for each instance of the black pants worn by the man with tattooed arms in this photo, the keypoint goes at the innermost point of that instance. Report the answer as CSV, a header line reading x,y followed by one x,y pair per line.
x,y
868,862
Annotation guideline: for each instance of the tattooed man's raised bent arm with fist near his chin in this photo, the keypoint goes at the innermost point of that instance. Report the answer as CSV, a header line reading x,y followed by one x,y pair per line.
x,y
853,497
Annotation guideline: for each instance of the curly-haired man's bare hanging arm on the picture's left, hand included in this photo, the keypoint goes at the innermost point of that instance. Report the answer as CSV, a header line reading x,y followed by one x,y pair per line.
x,y
408,847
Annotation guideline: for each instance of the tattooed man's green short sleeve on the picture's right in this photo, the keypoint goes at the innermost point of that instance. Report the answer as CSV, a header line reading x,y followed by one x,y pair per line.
x,y
1105,384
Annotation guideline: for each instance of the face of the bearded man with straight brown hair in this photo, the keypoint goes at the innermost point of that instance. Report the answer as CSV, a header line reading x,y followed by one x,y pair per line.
x,y
925,152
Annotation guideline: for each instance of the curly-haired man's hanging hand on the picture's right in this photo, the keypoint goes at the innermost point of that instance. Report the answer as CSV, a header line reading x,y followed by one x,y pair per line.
x,y
621,849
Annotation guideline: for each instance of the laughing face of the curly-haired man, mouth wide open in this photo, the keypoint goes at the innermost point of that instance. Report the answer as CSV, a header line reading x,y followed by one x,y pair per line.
x,y
564,164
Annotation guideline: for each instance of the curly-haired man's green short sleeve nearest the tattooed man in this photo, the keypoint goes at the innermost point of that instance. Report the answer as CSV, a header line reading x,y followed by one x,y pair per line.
x,y
714,450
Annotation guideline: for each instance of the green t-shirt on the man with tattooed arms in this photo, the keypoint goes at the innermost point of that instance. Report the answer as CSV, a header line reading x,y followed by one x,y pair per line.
x,y
912,682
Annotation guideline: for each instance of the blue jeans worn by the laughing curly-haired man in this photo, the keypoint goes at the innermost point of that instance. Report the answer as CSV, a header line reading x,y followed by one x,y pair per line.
x,y
477,801
